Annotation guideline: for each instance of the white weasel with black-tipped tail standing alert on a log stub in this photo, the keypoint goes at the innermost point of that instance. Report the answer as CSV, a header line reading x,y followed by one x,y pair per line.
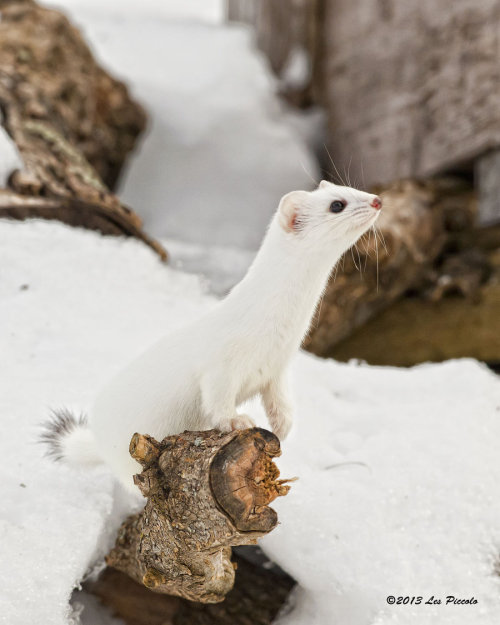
x,y
196,378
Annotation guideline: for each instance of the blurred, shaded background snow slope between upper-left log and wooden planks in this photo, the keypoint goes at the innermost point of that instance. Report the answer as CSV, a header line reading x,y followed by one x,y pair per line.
x,y
221,149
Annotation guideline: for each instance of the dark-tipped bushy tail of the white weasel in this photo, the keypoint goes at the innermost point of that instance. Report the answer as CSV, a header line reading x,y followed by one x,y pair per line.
x,y
67,437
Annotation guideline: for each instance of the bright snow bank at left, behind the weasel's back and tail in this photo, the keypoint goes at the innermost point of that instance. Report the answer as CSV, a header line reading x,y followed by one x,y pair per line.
x,y
74,307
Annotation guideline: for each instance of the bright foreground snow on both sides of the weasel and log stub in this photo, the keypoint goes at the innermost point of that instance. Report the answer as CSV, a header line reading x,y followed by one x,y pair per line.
x,y
399,479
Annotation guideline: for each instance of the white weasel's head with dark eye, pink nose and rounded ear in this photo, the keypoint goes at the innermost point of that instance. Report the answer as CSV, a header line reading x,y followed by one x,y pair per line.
x,y
328,214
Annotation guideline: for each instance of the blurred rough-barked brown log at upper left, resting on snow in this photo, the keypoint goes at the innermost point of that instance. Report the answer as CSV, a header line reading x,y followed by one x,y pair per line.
x,y
73,125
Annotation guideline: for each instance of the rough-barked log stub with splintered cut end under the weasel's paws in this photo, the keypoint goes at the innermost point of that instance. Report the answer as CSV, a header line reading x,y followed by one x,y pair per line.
x,y
206,492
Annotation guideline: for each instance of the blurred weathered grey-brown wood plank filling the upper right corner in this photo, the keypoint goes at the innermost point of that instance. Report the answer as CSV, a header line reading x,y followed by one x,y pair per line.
x,y
410,88
